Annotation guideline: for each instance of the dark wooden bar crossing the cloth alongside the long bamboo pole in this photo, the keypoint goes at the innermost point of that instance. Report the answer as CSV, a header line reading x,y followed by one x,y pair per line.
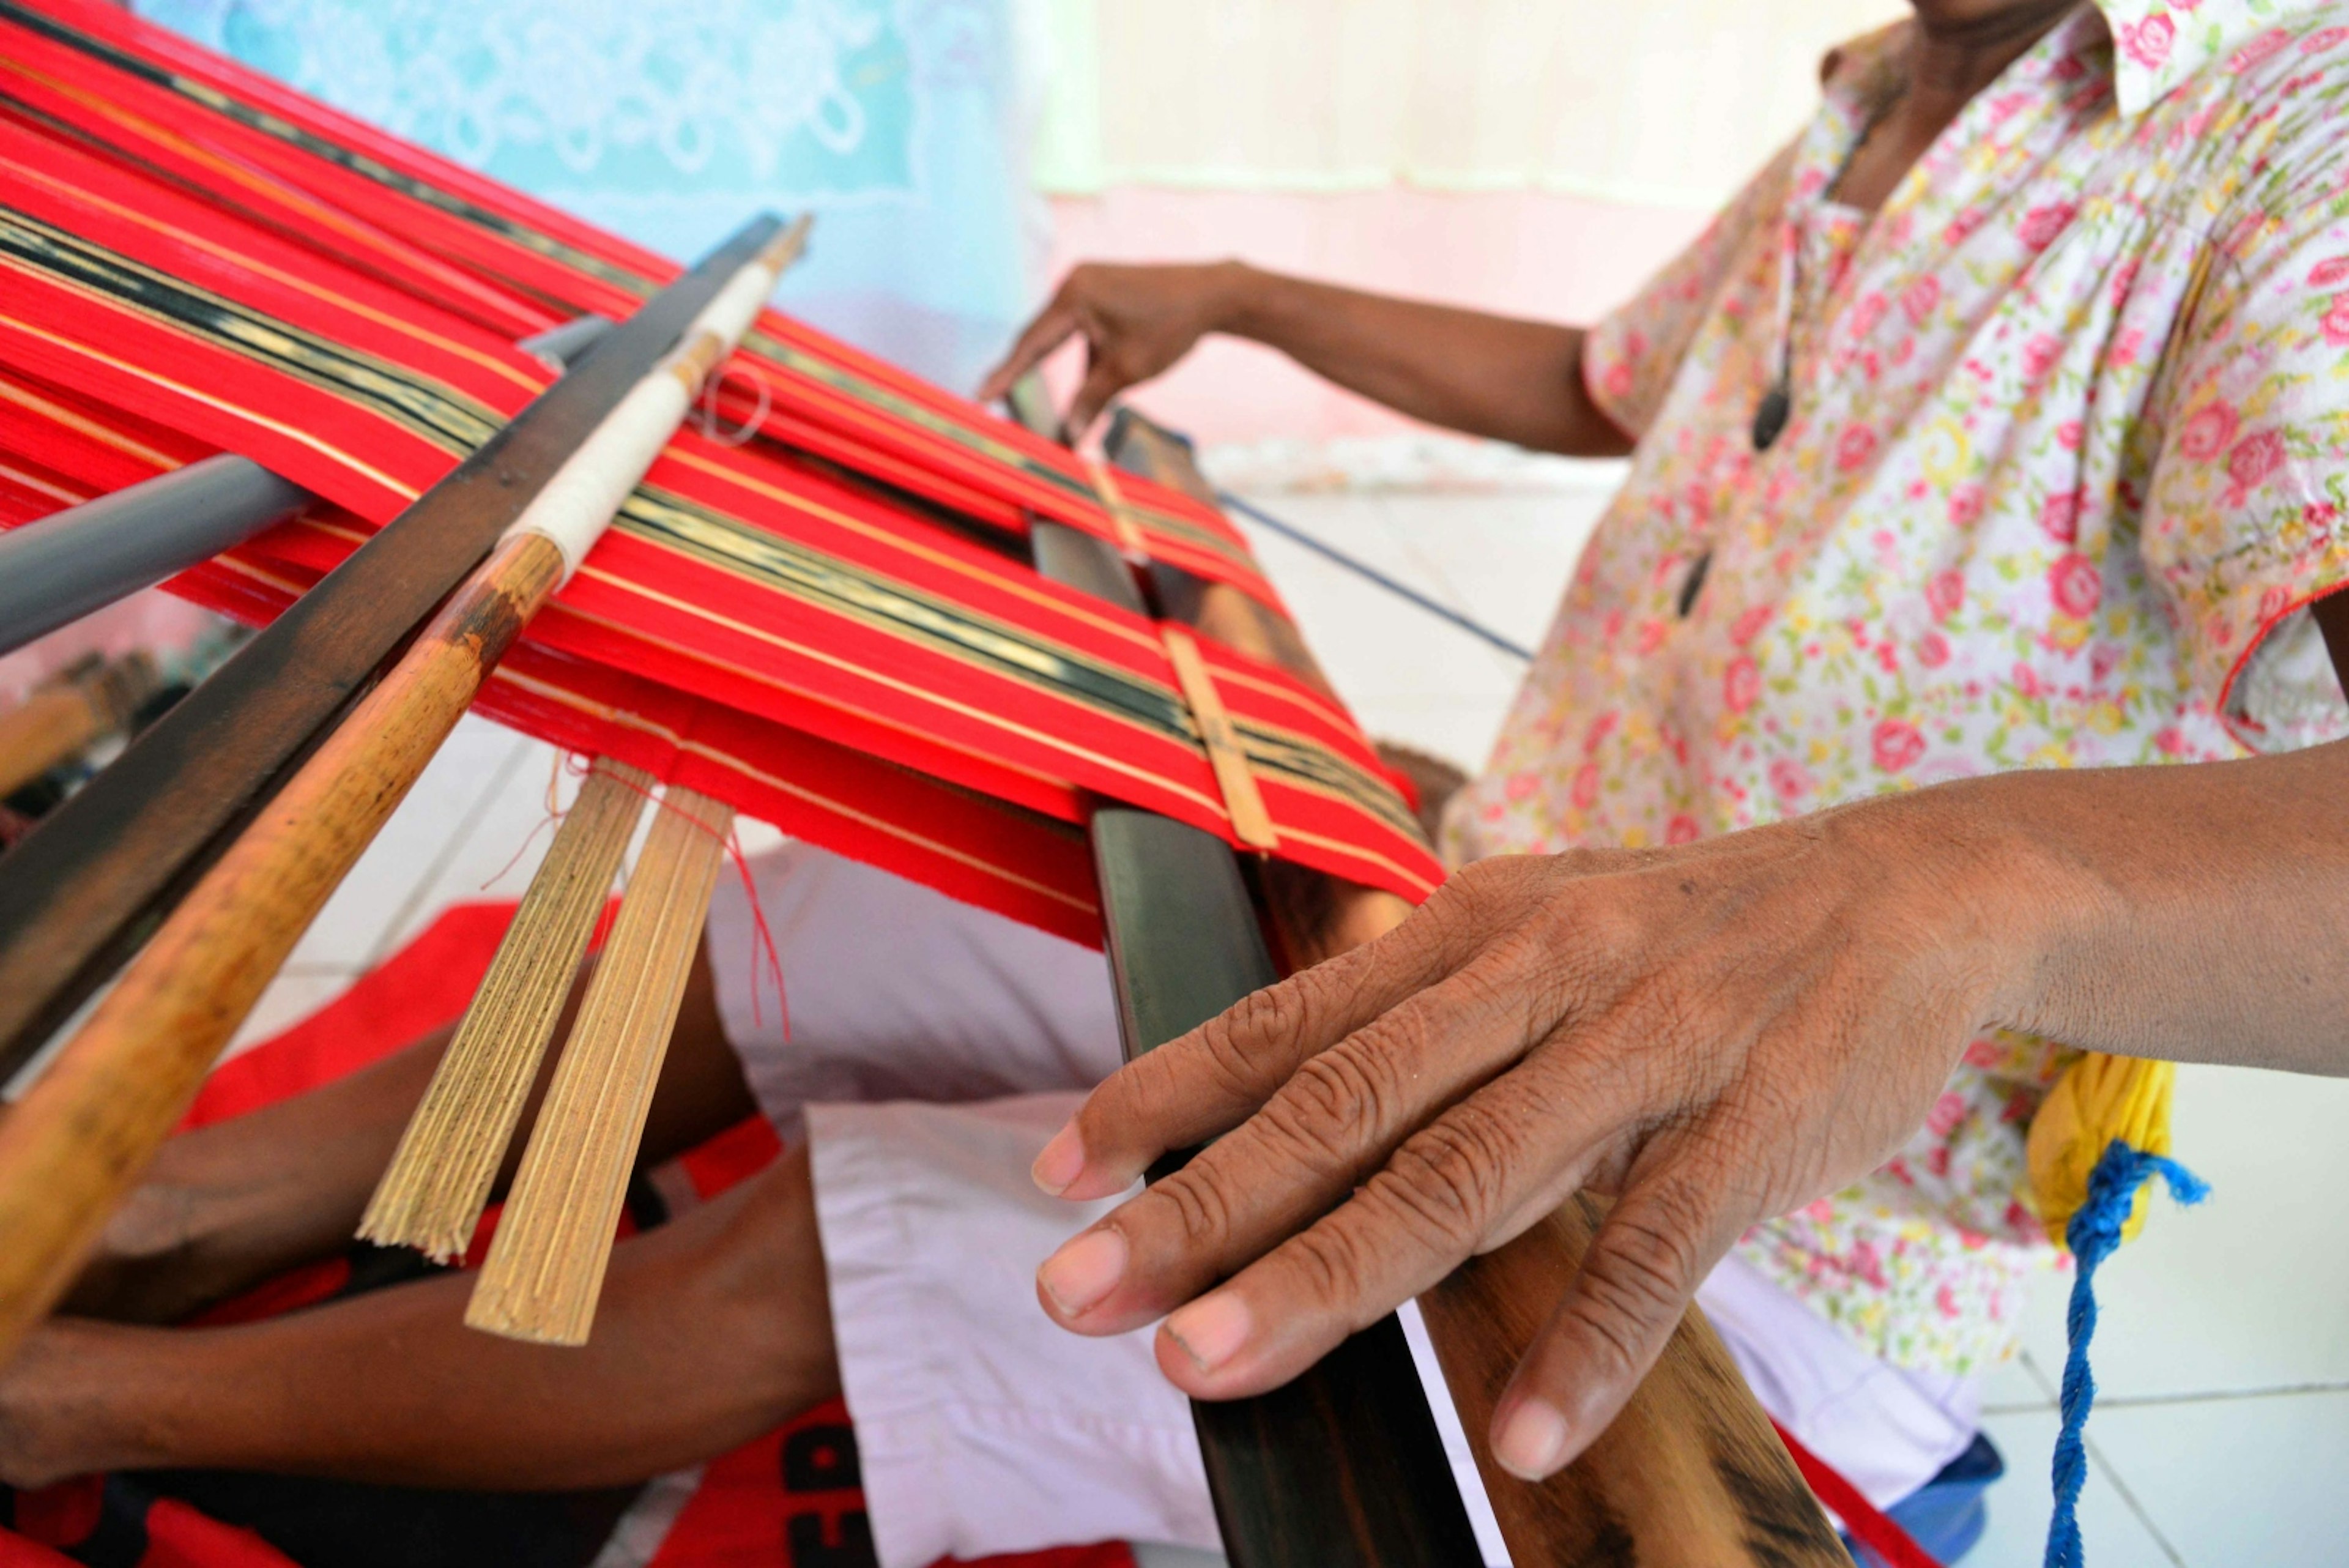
x,y
86,890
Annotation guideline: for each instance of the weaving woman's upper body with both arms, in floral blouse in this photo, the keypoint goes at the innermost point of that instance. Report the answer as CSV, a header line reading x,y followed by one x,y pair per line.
x,y
1995,427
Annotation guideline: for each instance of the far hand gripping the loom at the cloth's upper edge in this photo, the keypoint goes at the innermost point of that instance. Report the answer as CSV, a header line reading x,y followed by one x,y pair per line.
x,y
1136,321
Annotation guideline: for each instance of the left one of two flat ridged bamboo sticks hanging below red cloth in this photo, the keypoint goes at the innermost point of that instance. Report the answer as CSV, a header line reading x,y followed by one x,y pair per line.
x,y
433,1193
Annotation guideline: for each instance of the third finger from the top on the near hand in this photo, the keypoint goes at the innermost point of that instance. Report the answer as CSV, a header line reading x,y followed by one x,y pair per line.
x,y
1408,1228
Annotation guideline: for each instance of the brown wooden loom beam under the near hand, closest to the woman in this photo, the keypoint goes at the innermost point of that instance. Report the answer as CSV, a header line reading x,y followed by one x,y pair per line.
x,y
1690,1475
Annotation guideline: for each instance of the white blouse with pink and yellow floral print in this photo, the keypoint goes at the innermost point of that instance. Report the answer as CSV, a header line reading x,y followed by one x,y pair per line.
x,y
2066,464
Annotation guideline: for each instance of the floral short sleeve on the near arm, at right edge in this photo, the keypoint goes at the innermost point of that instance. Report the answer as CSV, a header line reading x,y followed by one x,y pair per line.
x,y
2247,514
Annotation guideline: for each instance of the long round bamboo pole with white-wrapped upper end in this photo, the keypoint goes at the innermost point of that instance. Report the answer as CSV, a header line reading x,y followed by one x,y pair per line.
x,y
95,1120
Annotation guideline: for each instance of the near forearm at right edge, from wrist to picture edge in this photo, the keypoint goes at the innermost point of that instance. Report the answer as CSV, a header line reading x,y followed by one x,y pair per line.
x,y
2188,913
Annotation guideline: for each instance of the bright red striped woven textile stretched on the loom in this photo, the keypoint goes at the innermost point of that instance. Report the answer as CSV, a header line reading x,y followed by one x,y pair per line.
x,y
814,650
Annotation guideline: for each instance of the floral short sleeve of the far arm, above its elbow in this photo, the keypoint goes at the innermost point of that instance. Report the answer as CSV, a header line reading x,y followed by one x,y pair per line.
x,y
1636,349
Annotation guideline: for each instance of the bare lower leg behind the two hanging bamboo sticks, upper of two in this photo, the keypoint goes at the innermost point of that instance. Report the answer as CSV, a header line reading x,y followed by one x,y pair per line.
x,y
243,1200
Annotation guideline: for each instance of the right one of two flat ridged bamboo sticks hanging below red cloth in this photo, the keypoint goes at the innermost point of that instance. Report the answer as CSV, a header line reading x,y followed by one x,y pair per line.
x,y
546,1264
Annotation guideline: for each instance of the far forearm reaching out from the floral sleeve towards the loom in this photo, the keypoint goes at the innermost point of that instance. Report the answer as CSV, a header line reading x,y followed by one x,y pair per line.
x,y
1465,370
